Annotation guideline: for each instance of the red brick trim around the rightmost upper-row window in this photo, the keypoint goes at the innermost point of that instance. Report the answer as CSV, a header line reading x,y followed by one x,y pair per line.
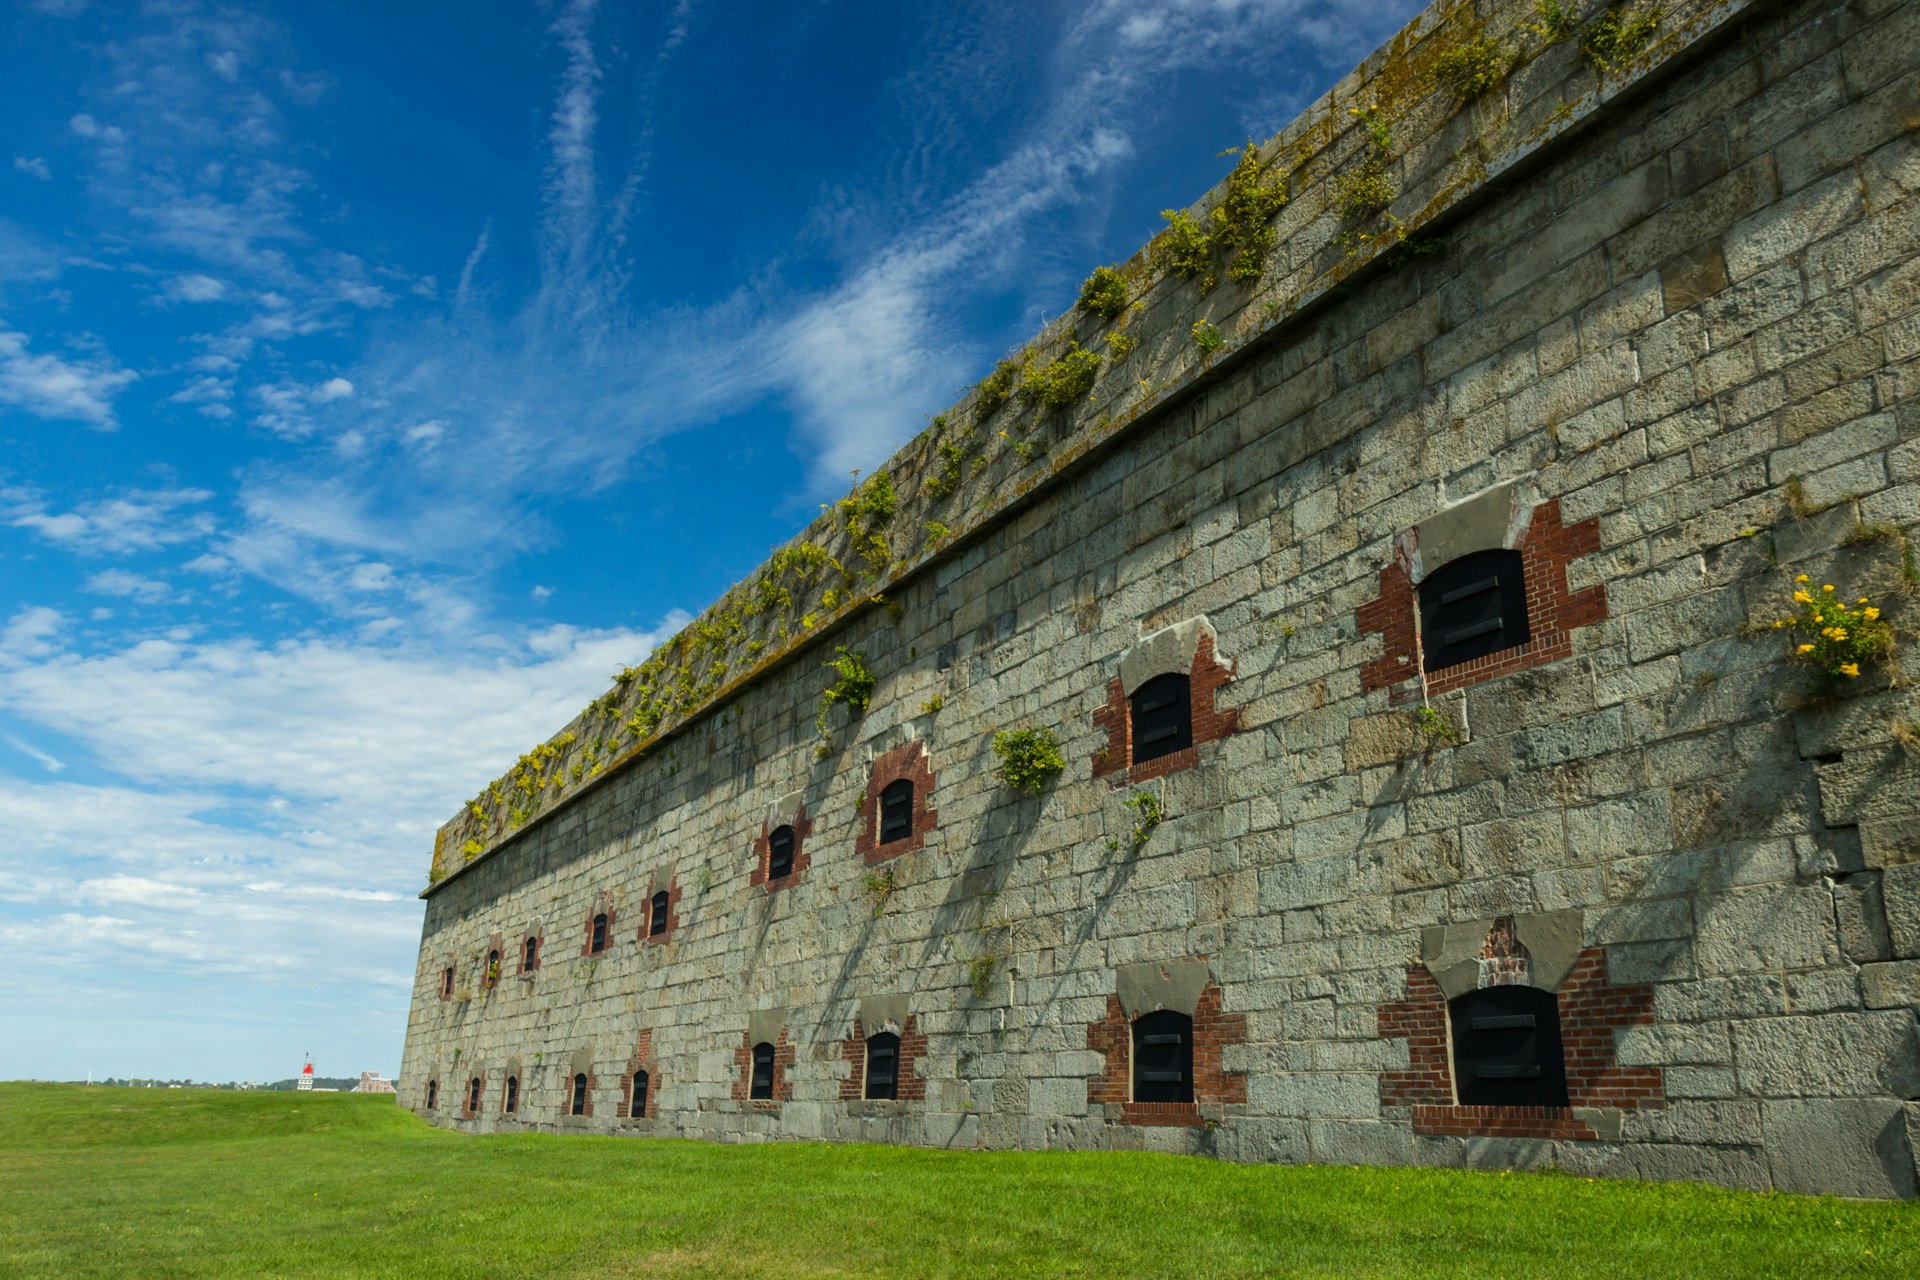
x,y
1552,613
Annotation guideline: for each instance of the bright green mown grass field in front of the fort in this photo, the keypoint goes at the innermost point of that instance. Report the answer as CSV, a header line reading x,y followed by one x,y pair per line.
x,y
187,1183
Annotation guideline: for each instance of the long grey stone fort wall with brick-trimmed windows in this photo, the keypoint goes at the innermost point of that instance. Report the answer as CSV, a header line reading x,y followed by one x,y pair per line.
x,y
1669,358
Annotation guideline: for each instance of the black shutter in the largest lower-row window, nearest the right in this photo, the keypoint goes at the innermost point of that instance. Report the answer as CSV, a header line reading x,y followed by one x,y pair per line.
x,y
1508,1049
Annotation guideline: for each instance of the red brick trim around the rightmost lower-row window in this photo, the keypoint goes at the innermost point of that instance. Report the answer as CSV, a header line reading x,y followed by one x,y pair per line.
x,y
1591,1008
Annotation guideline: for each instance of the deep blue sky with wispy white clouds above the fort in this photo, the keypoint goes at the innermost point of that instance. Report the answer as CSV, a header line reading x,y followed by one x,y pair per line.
x,y
375,381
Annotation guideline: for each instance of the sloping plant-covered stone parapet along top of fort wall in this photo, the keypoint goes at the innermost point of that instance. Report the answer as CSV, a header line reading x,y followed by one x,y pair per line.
x,y
969,473
